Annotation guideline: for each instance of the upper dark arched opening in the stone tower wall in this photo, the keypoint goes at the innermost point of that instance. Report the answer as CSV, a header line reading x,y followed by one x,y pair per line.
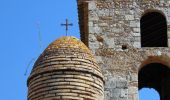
x,y
153,30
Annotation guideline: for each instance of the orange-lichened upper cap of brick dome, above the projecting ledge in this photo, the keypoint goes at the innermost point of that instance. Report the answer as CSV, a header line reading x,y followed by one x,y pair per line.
x,y
66,53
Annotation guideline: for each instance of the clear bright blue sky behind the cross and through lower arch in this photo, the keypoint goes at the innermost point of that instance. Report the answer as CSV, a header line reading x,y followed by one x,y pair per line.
x,y
19,39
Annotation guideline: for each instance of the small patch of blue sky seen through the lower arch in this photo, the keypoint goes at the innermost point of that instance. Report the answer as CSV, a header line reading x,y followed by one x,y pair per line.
x,y
148,94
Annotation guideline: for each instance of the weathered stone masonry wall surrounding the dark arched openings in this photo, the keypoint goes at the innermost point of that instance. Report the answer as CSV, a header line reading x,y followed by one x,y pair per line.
x,y
114,23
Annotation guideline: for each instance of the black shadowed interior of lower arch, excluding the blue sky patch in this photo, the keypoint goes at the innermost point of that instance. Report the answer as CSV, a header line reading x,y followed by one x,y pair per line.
x,y
156,76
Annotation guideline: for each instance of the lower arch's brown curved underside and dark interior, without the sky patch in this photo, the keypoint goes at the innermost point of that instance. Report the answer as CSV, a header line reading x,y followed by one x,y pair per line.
x,y
155,73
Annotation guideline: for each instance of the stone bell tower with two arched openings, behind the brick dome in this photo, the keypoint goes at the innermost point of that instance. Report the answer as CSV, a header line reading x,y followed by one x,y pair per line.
x,y
130,40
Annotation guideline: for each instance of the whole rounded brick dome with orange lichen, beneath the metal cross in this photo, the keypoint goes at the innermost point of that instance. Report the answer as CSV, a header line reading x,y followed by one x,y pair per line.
x,y
66,70
